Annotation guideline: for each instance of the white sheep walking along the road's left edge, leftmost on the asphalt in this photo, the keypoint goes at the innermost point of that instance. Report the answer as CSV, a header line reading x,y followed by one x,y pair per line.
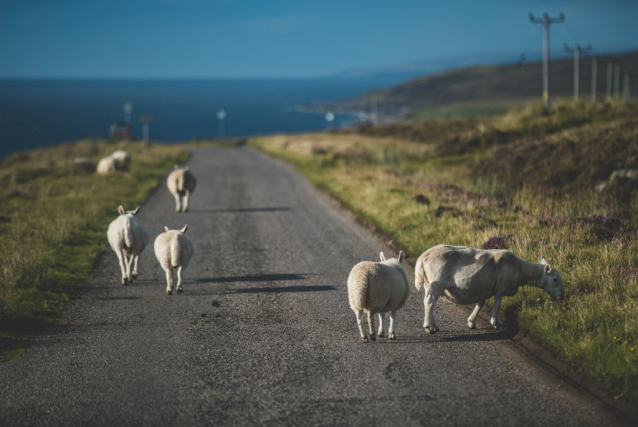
x,y
128,238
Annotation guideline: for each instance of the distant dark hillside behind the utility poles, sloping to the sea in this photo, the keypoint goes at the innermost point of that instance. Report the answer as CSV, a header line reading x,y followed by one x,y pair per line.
x,y
477,88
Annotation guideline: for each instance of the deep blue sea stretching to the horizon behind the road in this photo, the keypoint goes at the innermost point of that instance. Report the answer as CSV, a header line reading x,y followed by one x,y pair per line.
x,y
36,113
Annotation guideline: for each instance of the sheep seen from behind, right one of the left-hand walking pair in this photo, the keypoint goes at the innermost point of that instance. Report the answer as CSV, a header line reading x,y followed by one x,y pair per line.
x,y
173,250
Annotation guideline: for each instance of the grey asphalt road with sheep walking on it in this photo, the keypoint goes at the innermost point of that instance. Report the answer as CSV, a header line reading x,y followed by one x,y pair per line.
x,y
263,333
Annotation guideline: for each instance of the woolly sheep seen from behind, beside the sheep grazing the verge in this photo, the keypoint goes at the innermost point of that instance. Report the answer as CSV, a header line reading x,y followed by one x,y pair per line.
x,y
377,288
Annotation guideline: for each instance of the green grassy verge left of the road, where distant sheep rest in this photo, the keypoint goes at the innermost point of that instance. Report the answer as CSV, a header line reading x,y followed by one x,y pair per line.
x,y
53,221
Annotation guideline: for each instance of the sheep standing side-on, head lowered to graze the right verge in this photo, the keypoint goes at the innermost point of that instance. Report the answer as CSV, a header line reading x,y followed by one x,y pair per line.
x,y
471,276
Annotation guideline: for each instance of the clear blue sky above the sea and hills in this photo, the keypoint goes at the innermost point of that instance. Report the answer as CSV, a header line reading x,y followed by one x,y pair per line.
x,y
285,38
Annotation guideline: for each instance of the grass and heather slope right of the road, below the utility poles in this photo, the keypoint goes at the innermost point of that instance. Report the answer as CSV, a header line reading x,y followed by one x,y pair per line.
x,y
524,181
